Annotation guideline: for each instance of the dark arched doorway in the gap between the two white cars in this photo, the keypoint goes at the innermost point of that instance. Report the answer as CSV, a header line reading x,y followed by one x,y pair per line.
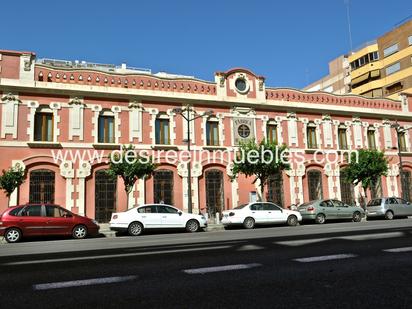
x,y
214,192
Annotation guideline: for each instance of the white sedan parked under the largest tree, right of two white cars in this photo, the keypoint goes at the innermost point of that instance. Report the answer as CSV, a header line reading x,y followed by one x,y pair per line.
x,y
260,213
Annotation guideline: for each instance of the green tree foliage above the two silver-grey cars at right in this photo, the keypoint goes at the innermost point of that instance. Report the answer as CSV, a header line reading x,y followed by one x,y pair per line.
x,y
366,167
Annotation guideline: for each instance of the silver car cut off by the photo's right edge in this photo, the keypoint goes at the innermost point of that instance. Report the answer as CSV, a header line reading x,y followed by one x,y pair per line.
x,y
388,207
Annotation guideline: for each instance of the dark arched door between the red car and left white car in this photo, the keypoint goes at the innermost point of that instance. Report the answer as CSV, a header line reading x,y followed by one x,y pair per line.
x,y
105,196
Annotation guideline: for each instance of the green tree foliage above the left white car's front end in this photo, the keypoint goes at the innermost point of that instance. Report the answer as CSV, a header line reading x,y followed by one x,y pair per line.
x,y
129,170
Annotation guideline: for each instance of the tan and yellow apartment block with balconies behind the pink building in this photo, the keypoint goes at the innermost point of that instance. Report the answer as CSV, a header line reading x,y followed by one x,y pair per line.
x,y
382,68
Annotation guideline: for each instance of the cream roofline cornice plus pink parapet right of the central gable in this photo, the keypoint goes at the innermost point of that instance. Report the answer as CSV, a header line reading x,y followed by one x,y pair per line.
x,y
284,99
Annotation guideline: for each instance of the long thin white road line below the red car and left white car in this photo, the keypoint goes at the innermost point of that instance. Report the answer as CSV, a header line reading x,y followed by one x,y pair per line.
x,y
109,256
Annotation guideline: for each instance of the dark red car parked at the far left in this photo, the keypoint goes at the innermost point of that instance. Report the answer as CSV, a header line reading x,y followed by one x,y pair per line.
x,y
38,219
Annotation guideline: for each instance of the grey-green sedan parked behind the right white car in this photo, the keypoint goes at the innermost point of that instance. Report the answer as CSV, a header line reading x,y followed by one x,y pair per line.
x,y
330,209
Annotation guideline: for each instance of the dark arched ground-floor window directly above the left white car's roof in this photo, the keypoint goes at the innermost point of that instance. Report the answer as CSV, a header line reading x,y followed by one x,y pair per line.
x,y
163,186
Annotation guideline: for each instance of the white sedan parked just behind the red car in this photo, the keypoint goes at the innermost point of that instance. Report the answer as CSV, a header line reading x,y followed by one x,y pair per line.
x,y
155,216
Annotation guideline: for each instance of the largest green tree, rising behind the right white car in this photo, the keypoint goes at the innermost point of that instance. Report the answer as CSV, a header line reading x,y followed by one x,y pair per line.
x,y
268,158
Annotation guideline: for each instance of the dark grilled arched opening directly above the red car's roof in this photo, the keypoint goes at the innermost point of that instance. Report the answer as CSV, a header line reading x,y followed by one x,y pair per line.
x,y
42,187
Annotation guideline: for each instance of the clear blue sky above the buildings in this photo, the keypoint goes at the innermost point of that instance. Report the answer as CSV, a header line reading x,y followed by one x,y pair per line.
x,y
289,42
